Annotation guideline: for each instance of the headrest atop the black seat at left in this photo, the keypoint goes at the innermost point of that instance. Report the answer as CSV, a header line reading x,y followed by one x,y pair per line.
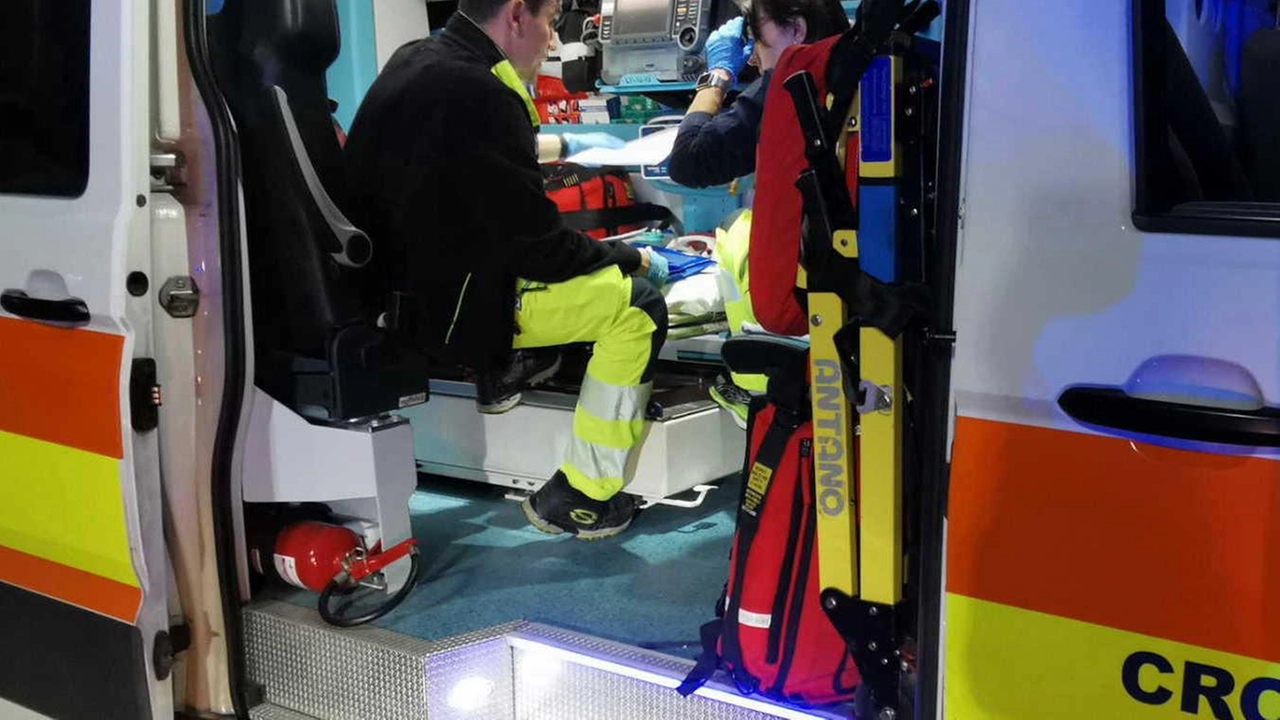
x,y
303,35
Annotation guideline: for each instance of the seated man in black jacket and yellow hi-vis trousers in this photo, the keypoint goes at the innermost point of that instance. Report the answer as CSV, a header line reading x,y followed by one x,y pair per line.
x,y
442,162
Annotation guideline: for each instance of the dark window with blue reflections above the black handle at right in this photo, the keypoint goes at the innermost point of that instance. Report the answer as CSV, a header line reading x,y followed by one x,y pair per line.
x,y
1208,117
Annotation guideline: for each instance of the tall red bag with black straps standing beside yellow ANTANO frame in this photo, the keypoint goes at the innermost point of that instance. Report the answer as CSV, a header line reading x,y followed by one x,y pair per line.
x,y
771,634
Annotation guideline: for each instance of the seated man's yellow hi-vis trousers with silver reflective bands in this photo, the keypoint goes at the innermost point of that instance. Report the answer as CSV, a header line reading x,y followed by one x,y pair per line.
x,y
627,318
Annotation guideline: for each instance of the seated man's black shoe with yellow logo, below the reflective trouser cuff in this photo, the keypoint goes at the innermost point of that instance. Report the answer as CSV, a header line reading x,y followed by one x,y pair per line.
x,y
560,508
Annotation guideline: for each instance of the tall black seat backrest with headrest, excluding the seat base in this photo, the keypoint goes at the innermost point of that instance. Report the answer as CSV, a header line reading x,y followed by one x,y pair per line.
x,y
299,294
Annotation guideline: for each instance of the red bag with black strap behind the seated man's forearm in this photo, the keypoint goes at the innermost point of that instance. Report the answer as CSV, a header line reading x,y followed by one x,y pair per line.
x,y
600,202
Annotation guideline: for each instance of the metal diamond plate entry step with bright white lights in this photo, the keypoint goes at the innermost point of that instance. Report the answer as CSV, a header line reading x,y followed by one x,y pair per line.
x,y
514,672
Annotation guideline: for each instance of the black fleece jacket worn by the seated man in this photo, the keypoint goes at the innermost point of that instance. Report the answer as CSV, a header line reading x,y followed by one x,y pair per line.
x,y
444,175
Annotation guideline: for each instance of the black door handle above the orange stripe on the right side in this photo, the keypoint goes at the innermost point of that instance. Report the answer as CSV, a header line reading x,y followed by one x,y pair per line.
x,y
1113,408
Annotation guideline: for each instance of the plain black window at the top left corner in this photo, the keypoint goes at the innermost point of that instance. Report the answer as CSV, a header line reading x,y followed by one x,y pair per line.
x,y
44,98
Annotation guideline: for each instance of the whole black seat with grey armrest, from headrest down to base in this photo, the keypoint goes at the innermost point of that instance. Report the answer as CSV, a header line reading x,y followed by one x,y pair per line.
x,y
314,340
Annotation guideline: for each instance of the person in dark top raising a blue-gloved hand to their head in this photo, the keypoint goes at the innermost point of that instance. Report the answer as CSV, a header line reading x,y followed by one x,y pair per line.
x,y
716,145
